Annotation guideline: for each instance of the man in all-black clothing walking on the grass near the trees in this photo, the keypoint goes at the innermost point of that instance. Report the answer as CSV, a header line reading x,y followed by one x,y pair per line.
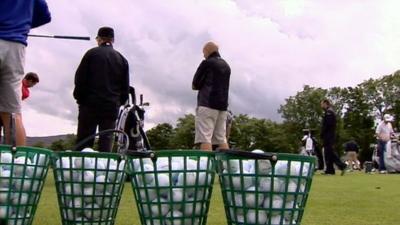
x,y
328,133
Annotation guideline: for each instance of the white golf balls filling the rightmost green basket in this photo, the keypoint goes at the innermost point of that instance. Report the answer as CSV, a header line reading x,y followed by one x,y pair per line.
x,y
255,186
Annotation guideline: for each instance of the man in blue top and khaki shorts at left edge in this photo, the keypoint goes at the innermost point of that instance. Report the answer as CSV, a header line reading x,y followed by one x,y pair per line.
x,y
17,17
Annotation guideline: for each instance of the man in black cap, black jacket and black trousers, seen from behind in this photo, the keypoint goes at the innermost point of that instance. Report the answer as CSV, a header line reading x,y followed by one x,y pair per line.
x,y
101,86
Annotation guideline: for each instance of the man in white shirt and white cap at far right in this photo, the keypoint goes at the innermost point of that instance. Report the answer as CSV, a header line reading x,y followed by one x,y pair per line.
x,y
384,132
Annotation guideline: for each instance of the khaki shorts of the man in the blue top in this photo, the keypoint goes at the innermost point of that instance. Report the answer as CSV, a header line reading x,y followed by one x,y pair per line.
x,y
12,58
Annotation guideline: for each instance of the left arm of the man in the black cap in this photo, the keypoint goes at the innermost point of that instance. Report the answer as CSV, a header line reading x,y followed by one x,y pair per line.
x,y
81,79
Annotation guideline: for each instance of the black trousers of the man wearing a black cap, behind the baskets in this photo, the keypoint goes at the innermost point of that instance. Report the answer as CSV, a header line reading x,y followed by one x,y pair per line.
x,y
89,119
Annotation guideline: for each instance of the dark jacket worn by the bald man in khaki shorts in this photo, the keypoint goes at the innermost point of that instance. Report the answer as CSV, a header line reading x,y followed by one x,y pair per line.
x,y
212,82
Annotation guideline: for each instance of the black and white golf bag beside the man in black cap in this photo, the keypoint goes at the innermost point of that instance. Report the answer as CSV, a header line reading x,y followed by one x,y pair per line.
x,y
131,121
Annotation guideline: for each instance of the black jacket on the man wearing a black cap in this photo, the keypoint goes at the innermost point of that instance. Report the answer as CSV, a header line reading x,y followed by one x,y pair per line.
x,y
102,78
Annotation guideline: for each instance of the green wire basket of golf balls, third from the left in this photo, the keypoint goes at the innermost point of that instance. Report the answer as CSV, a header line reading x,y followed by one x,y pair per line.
x,y
172,186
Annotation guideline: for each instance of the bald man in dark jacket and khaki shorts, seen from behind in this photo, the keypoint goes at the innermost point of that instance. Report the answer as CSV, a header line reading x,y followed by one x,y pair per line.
x,y
211,80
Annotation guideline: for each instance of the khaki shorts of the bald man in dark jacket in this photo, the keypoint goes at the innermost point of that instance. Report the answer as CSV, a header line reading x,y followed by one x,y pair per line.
x,y
210,126
